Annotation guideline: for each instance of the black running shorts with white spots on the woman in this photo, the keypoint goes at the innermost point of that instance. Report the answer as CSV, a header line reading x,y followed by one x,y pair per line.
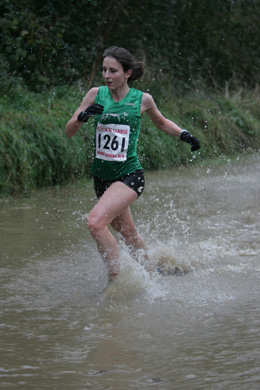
x,y
134,180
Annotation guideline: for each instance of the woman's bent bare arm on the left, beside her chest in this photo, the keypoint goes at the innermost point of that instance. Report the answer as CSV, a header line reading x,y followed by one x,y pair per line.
x,y
73,125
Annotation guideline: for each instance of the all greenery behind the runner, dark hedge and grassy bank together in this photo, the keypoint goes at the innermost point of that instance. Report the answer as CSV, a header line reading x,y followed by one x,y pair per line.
x,y
203,60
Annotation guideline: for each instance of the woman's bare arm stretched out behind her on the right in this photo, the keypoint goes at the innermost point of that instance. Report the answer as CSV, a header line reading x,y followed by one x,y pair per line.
x,y
162,123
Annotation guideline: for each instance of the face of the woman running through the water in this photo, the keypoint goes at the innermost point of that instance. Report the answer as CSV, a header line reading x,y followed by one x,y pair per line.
x,y
113,73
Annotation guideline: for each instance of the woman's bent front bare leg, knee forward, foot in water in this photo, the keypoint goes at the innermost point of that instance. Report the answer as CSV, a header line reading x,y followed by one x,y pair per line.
x,y
114,201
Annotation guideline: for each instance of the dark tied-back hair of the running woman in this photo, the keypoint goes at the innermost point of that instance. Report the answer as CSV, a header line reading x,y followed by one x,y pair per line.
x,y
127,60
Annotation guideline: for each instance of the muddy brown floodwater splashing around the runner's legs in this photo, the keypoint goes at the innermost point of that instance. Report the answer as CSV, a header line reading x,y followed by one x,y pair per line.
x,y
64,327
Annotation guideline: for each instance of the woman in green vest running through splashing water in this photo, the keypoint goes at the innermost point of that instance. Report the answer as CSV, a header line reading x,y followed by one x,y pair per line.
x,y
117,172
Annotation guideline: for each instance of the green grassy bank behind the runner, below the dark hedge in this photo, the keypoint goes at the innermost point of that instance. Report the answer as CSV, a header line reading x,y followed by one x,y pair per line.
x,y
35,152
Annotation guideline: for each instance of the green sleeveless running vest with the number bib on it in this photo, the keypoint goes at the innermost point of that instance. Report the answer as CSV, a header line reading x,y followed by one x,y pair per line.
x,y
117,132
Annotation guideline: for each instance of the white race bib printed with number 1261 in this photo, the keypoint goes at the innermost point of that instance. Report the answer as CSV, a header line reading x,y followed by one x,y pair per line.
x,y
112,142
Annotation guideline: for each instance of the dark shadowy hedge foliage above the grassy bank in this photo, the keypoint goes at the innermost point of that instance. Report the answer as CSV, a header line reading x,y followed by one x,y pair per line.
x,y
54,42
